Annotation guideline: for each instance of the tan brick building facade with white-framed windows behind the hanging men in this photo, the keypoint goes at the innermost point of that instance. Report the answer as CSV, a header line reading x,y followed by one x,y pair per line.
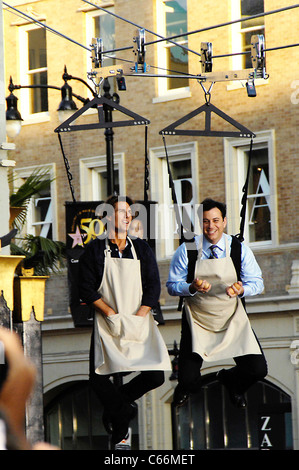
x,y
42,37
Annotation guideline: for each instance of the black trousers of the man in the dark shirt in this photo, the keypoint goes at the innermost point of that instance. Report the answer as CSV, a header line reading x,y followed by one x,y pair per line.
x,y
112,395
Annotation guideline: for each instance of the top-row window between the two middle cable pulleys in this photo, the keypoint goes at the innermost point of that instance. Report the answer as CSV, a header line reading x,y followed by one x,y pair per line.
x,y
172,59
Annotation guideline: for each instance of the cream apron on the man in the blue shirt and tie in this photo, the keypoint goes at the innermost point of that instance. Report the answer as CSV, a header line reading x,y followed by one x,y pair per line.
x,y
219,325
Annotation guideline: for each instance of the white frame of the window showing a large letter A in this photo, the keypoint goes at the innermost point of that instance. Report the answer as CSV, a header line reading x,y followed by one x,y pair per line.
x,y
235,176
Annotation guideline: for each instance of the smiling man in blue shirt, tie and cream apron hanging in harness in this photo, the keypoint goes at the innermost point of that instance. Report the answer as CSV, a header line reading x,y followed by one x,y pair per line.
x,y
215,325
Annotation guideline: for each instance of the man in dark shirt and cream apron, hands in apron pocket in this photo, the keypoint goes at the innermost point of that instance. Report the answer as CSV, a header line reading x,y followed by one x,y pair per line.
x,y
119,277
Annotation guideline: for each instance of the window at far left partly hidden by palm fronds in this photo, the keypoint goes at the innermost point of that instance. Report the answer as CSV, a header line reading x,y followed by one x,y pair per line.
x,y
40,218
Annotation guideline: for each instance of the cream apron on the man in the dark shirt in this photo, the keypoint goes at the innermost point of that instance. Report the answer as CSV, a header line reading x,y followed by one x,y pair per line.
x,y
125,342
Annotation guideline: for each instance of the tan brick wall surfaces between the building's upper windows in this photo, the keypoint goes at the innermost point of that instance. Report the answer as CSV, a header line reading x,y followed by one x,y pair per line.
x,y
273,108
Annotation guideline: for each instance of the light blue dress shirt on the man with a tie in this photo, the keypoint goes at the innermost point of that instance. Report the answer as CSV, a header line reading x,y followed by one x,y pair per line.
x,y
251,275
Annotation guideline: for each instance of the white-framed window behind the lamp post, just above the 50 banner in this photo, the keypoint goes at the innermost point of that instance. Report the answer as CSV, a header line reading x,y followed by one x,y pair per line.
x,y
93,177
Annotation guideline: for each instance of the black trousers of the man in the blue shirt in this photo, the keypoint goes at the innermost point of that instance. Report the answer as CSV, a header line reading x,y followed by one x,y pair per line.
x,y
248,370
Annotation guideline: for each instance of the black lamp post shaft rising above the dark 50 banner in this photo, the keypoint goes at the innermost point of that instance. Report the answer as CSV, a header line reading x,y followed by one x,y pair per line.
x,y
109,140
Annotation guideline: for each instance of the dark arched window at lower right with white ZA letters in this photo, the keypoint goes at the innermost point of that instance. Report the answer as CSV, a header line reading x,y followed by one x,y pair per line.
x,y
209,421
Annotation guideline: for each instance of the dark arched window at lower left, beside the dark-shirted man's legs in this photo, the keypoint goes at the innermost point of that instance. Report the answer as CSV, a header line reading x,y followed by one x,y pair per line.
x,y
73,420
